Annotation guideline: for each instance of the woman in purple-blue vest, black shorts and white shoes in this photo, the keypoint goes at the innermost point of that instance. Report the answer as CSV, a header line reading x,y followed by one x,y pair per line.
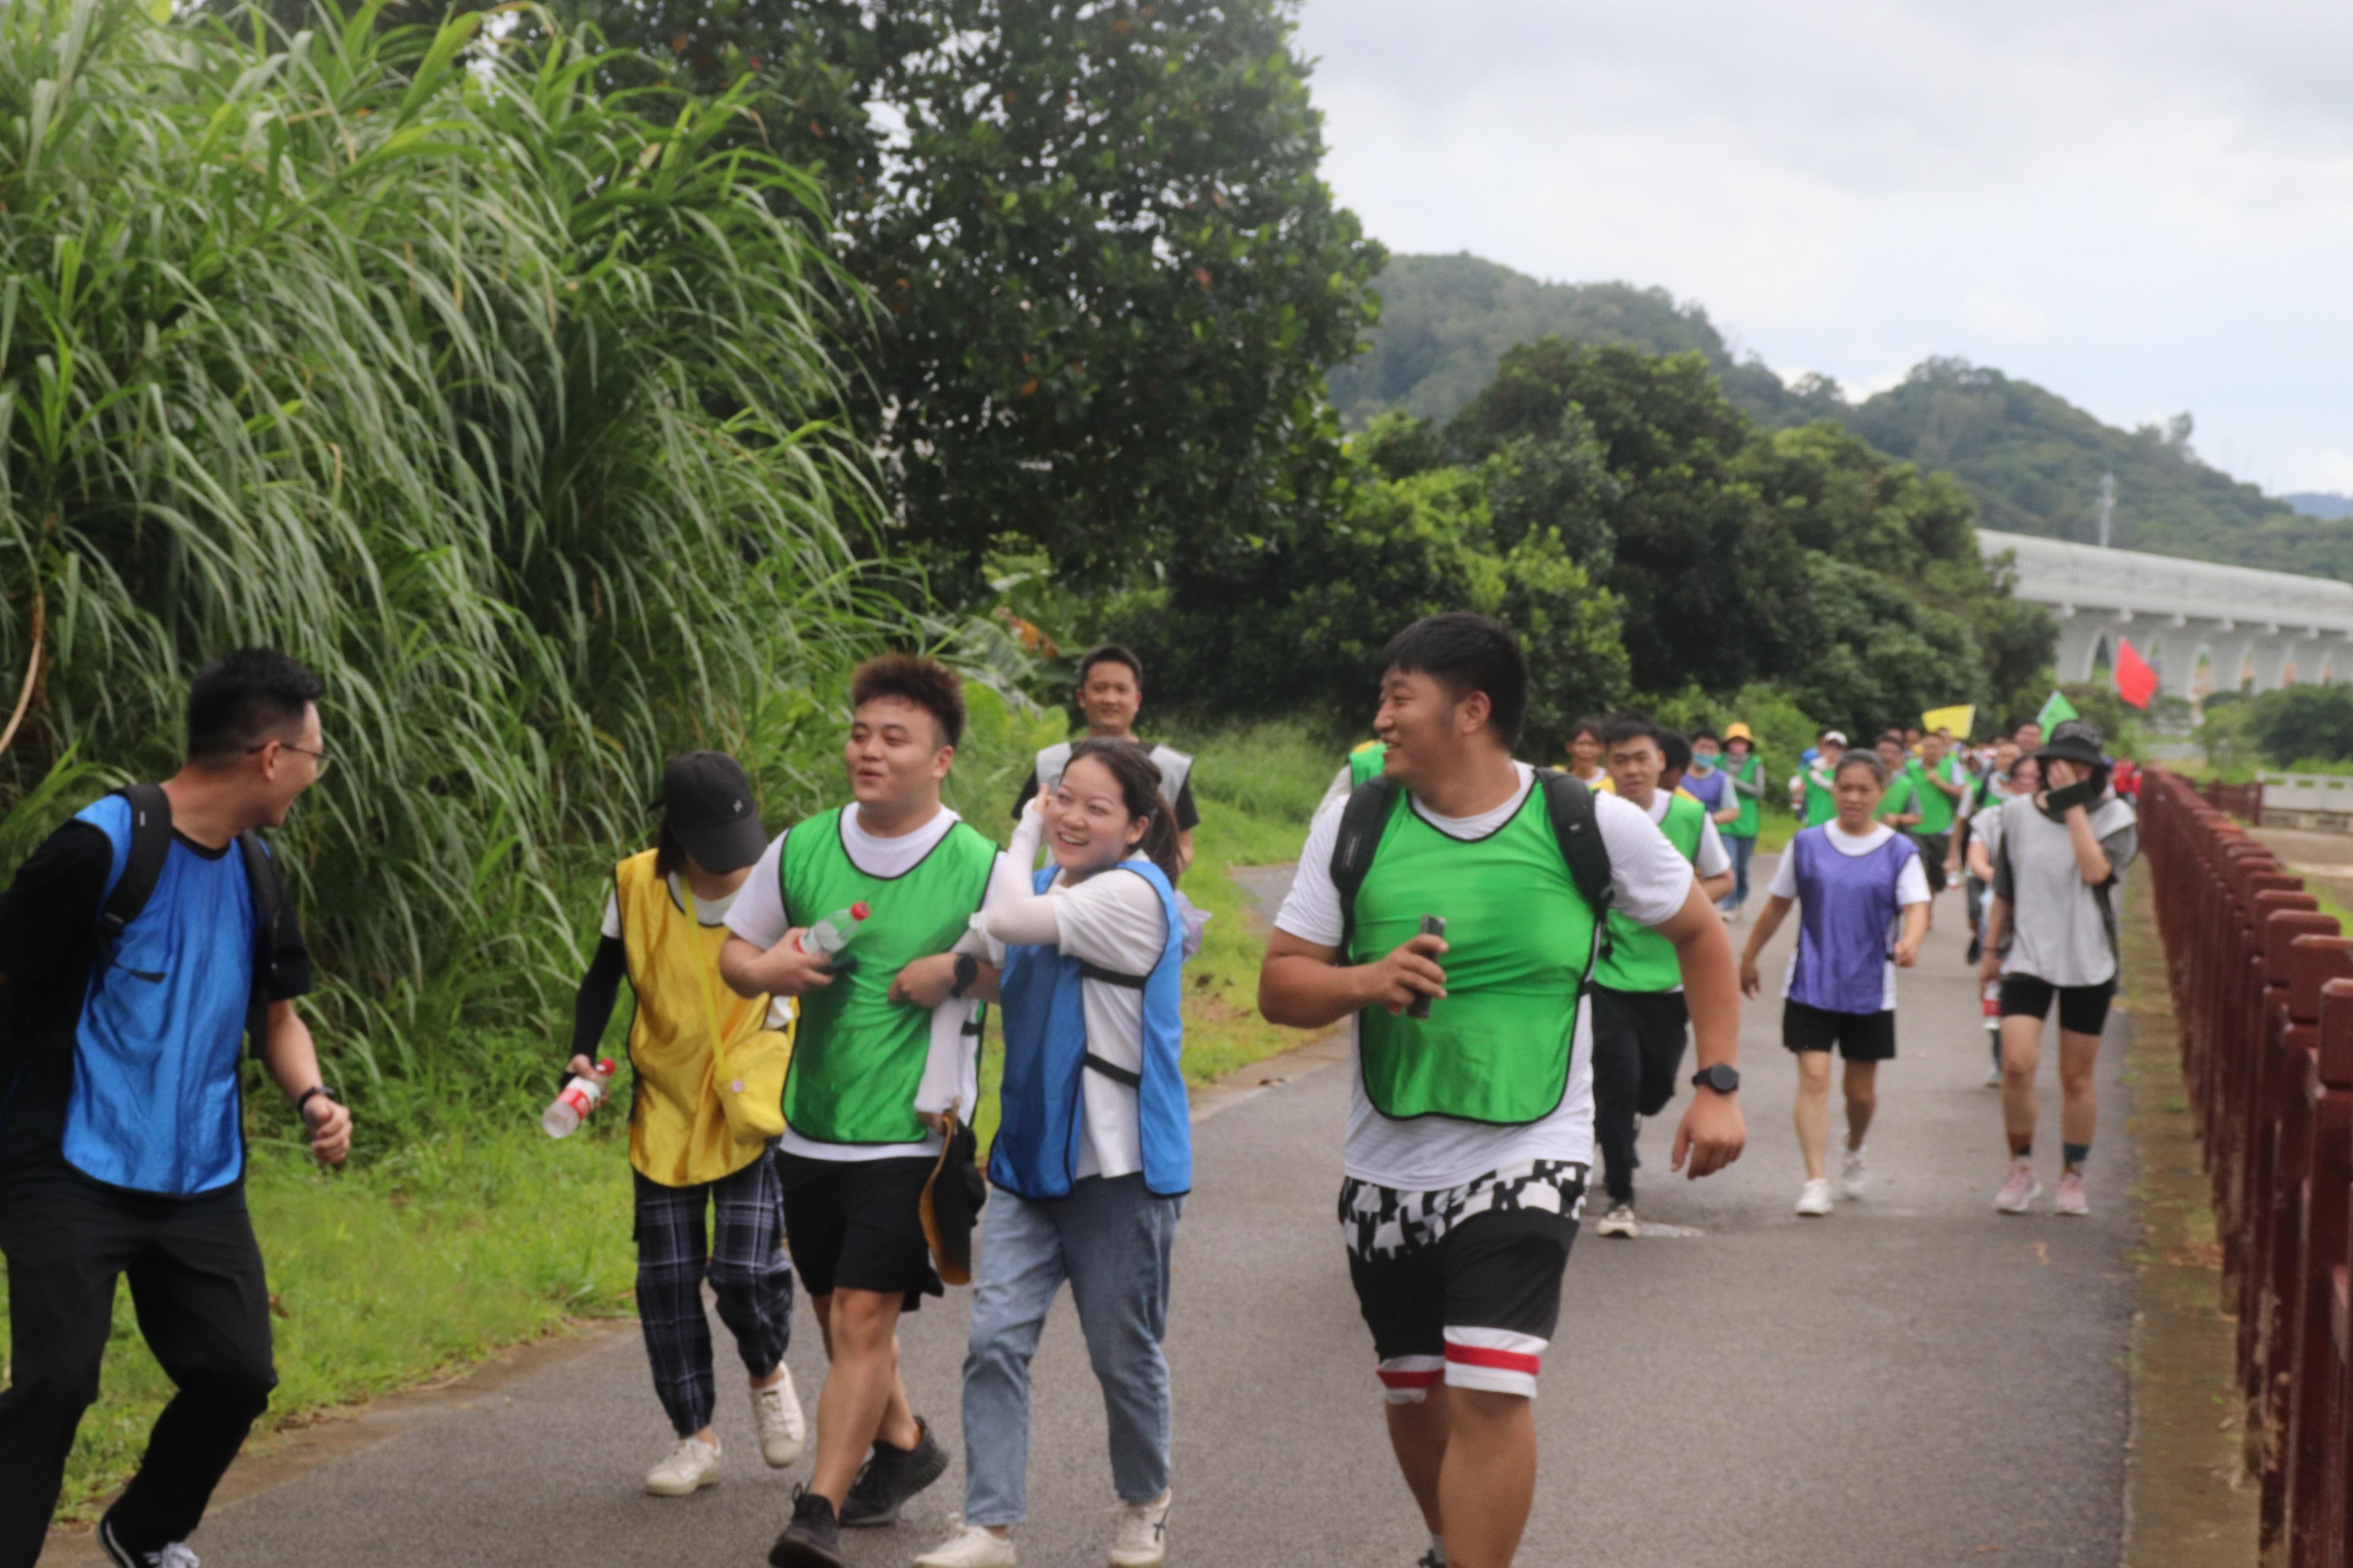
x,y
1862,911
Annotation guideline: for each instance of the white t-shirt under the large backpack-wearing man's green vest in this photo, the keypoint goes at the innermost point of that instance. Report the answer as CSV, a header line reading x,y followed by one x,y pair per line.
x,y
1432,1153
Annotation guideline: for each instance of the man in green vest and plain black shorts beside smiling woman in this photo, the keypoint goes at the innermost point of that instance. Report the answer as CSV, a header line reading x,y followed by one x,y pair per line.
x,y
884,1057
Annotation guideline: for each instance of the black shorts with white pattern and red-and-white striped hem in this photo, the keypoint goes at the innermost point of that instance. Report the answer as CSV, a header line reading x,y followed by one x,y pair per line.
x,y
1462,1285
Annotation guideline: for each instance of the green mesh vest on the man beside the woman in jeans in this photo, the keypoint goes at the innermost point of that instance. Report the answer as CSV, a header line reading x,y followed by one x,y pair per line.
x,y
860,1057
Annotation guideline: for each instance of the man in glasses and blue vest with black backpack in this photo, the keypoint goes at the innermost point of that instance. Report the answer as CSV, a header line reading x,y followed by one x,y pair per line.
x,y
124,1130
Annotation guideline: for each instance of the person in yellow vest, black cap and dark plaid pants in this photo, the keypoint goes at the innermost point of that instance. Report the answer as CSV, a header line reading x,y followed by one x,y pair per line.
x,y
707,1078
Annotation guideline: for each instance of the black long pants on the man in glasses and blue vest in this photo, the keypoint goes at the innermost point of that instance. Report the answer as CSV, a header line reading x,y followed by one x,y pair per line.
x,y
204,1308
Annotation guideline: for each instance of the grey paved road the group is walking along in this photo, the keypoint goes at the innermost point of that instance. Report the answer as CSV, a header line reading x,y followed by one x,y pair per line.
x,y
1907,1383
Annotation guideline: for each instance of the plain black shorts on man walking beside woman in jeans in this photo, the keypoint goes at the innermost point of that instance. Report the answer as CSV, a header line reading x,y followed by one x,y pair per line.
x,y
858,1226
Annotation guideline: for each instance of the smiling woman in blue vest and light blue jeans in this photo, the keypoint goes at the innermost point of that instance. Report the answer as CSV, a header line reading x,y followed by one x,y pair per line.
x,y
1095,1148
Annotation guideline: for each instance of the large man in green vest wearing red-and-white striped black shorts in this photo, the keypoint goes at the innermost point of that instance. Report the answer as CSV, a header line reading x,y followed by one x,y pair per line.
x,y
1472,1125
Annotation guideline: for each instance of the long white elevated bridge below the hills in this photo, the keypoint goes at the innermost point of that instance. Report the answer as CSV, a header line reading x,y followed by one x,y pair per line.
x,y
2267,626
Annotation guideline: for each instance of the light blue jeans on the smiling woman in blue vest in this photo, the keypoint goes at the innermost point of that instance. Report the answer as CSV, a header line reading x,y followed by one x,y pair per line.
x,y
1112,1240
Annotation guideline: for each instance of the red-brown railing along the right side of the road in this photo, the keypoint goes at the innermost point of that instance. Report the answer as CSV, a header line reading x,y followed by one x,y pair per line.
x,y
2265,998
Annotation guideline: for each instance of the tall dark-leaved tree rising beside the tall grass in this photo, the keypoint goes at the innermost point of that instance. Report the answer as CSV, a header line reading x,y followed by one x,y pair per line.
x,y
1109,274
